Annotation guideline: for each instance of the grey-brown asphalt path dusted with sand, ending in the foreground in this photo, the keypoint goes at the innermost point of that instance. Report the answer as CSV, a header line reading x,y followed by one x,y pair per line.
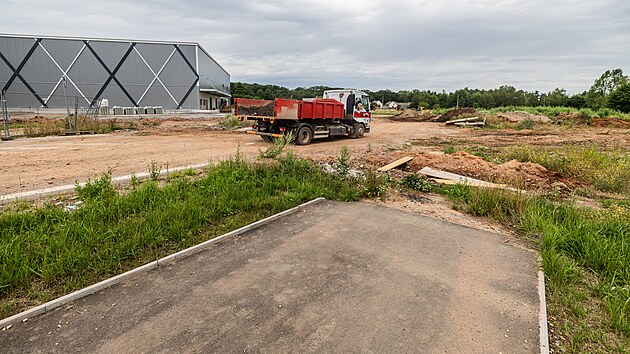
x,y
336,277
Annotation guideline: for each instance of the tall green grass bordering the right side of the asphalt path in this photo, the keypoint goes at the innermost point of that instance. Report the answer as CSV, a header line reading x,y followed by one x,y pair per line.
x,y
586,258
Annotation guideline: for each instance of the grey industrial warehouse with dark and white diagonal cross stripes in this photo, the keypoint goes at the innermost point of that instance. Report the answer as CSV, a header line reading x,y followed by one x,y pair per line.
x,y
43,72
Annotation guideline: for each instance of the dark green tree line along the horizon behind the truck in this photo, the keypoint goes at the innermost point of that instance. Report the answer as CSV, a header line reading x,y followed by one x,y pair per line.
x,y
610,90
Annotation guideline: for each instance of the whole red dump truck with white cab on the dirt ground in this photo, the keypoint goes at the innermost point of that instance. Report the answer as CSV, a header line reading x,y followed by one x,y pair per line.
x,y
339,113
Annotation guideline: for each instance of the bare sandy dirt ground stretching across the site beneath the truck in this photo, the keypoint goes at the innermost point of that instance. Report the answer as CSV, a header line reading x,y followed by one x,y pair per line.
x,y
35,163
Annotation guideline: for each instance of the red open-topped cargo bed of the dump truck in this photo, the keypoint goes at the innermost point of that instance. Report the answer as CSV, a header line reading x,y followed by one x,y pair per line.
x,y
282,108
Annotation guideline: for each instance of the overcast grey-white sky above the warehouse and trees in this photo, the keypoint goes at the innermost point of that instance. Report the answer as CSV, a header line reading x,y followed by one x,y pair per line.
x,y
371,44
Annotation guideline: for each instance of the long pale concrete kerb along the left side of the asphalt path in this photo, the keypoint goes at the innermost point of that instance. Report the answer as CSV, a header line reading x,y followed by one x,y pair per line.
x,y
53,304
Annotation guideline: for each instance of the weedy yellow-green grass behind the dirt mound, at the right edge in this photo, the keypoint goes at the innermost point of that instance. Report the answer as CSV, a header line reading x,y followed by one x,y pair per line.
x,y
607,169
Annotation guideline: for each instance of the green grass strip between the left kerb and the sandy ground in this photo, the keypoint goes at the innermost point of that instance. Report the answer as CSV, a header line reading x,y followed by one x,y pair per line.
x,y
46,252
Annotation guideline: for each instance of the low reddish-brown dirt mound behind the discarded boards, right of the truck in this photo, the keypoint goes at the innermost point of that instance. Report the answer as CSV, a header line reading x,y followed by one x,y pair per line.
x,y
527,175
